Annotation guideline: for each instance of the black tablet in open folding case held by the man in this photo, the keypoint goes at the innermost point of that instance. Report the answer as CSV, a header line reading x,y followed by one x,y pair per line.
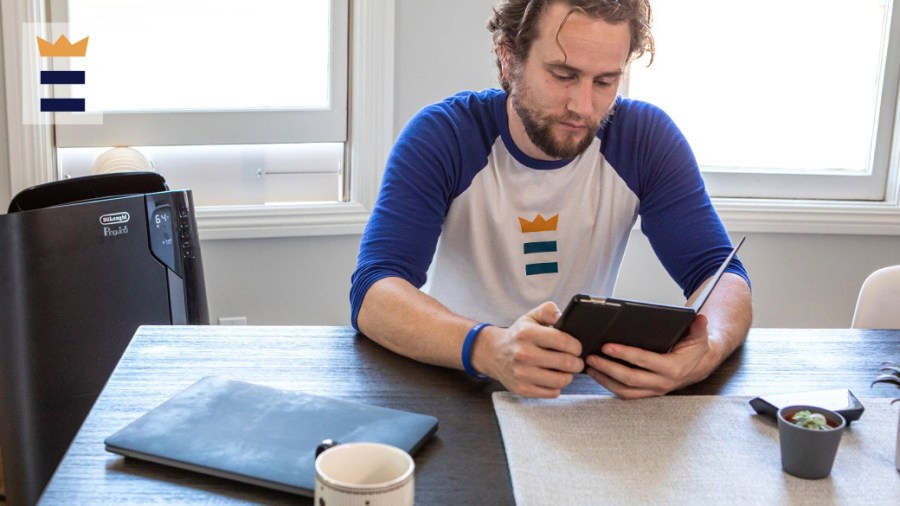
x,y
656,327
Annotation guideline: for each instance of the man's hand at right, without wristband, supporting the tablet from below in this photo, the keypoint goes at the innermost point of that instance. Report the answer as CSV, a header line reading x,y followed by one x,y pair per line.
x,y
690,361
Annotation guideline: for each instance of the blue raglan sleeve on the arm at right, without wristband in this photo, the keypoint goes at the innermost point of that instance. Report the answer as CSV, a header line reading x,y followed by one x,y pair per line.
x,y
677,216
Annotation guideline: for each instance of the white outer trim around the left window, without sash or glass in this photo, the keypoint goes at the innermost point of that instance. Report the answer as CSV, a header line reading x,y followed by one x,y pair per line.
x,y
369,130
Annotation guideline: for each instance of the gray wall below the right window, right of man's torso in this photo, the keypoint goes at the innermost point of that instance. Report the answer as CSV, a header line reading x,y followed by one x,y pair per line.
x,y
799,280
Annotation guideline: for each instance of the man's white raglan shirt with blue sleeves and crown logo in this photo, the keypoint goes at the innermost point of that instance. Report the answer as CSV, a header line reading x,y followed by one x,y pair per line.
x,y
491,233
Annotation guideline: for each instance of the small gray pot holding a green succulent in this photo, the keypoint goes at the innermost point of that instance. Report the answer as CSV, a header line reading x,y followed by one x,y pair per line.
x,y
809,453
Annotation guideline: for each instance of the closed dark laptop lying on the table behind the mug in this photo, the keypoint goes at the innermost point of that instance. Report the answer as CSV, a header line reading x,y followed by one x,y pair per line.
x,y
258,434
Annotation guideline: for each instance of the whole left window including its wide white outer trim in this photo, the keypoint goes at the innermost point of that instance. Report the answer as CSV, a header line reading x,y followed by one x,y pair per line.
x,y
264,155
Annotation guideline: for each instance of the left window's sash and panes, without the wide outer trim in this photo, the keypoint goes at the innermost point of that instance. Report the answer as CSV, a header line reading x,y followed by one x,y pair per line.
x,y
242,103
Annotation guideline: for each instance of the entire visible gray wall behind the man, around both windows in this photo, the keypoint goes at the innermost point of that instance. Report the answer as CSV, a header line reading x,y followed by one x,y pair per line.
x,y
442,47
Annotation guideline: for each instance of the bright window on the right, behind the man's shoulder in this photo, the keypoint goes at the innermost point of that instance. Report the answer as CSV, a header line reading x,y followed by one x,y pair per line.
x,y
790,99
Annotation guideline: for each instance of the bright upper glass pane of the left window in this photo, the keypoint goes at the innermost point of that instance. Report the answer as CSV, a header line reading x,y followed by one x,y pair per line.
x,y
177,55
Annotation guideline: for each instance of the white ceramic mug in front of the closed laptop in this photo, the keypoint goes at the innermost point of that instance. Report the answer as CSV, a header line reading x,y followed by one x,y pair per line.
x,y
364,474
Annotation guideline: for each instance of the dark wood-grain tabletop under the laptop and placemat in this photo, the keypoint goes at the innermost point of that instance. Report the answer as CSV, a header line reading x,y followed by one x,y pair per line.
x,y
464,463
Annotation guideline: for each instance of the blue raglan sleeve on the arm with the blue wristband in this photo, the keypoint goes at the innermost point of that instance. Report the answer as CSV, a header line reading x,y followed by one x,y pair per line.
x,y
433,160
